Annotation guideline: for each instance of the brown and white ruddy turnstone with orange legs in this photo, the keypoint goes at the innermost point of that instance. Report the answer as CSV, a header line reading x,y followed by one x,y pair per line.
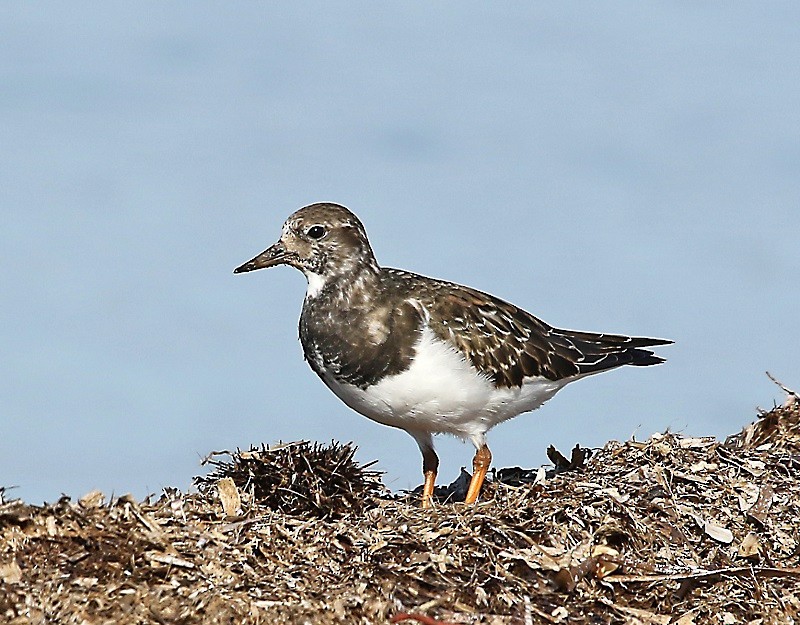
x,y
425,355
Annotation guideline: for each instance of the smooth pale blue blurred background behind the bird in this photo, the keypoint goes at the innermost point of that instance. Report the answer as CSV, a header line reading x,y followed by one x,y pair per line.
x,y
628,167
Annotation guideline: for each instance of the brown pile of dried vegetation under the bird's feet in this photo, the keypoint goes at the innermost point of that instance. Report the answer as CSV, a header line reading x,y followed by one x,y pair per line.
x,y
669,530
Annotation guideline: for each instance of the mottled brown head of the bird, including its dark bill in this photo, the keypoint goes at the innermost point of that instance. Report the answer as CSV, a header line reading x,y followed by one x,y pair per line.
x,y
321,240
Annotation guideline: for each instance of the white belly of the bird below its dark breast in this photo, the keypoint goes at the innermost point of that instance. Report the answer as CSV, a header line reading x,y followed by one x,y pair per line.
x,y
443,392
